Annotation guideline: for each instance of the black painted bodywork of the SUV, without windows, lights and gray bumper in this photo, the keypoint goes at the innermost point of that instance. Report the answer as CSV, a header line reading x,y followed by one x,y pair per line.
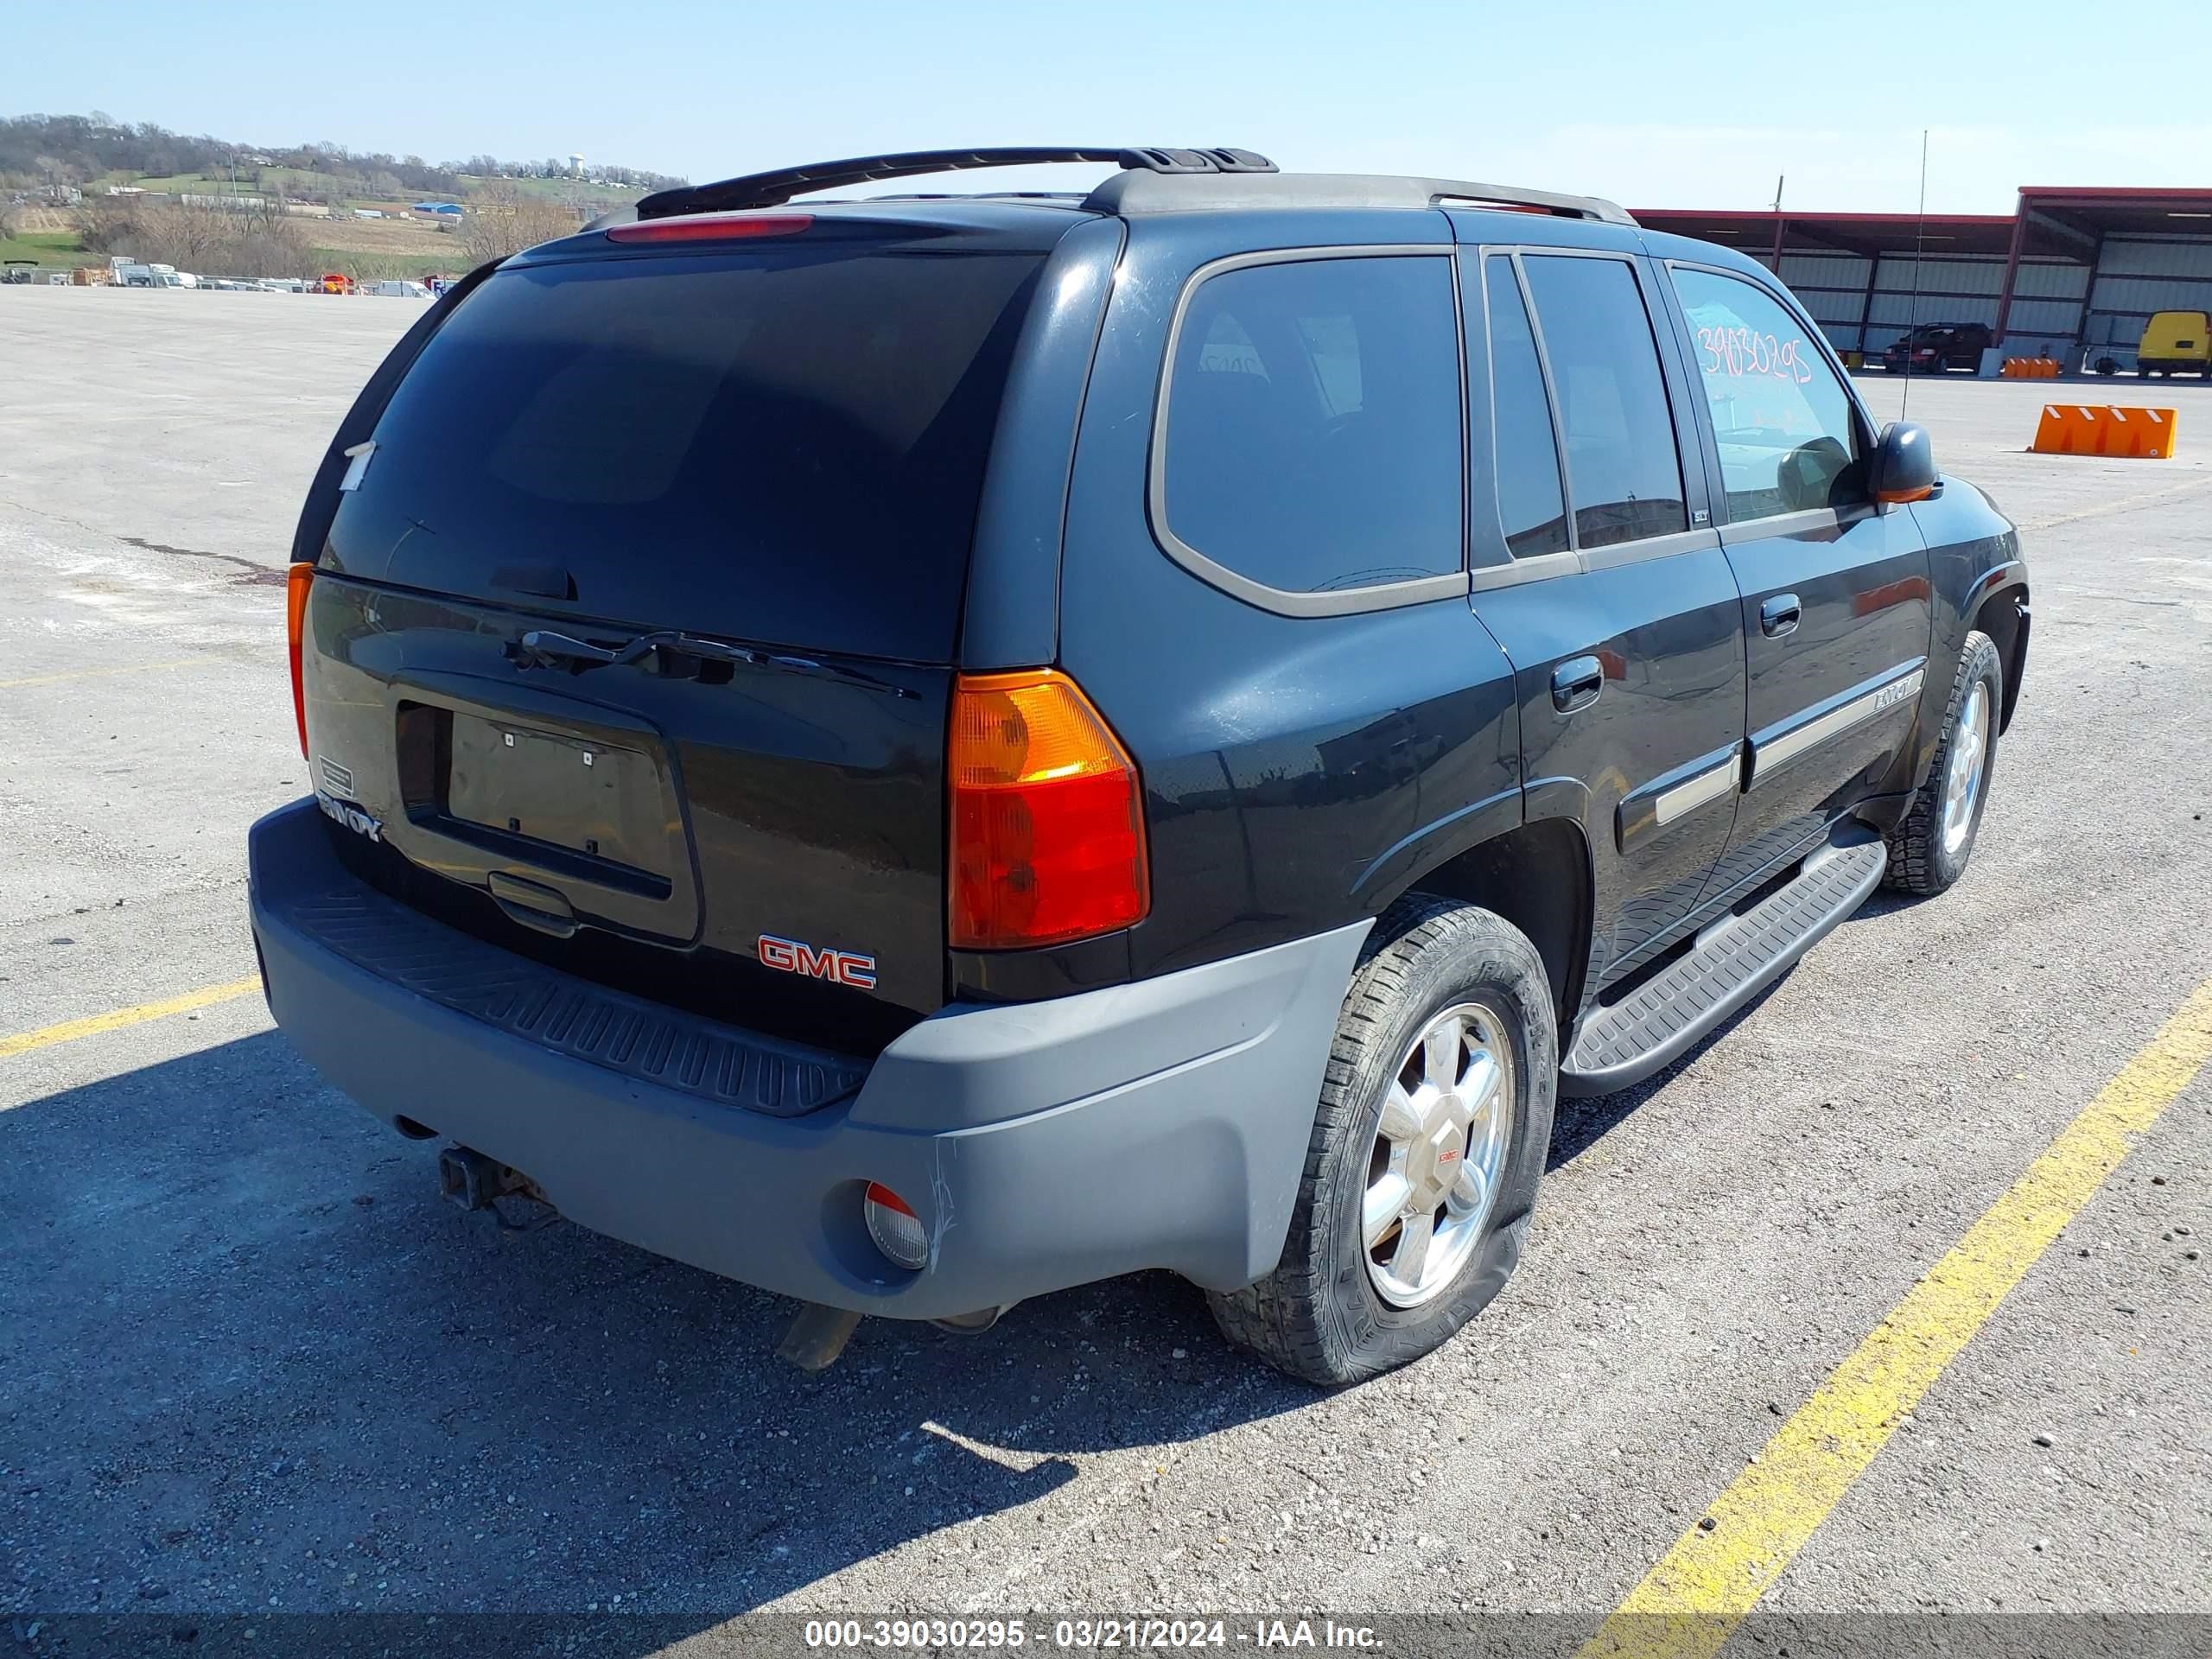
x,y
1300,771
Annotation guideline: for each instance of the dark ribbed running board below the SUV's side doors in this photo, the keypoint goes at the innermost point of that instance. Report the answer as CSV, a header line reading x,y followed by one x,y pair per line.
x,y
1731,963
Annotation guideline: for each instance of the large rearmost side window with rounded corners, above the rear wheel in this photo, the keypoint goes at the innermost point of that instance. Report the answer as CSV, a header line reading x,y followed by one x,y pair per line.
x,y
1313,428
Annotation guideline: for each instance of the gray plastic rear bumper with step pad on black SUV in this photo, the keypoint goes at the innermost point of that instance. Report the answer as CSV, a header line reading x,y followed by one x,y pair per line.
x,y
1050,1145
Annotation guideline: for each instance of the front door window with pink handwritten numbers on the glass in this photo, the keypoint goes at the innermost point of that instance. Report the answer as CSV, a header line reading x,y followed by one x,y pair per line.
x,y
1780,415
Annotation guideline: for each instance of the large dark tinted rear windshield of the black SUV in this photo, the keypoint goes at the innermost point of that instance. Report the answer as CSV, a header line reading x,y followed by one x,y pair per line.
x,y
773,446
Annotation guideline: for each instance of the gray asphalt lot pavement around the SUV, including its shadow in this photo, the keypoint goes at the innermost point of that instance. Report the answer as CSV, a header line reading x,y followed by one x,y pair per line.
x,y
249,1364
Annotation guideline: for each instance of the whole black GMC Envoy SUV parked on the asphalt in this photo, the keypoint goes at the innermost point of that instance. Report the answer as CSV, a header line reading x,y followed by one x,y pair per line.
x,y
928,751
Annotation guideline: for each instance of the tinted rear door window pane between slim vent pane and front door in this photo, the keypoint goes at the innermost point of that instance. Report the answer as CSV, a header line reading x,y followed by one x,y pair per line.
x,y
1623,463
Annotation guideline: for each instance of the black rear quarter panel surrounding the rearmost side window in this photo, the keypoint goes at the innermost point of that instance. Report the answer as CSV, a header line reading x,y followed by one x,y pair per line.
x,y
1300,771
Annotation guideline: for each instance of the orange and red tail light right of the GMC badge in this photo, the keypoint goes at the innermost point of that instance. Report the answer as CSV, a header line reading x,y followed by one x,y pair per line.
x,y
1047,824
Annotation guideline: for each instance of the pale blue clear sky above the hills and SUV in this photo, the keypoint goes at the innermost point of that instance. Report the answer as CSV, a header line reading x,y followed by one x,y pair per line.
x,y
1653,105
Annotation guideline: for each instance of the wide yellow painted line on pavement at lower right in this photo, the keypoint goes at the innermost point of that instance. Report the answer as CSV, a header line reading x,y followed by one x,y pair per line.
x,y
1704,1587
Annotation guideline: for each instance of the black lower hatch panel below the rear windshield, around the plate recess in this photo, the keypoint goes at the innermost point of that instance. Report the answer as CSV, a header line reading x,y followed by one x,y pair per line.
x,y
786,804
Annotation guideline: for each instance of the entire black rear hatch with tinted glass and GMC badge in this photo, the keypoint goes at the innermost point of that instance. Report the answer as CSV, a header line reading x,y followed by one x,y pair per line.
x,y
632,632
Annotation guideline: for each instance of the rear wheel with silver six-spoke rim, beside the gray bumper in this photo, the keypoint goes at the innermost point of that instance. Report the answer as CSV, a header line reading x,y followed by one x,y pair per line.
x,y
1428,1149
